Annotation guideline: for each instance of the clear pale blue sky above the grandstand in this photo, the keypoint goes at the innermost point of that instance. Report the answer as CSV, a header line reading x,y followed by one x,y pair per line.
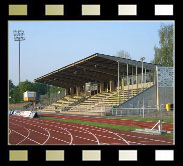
x,y
50,45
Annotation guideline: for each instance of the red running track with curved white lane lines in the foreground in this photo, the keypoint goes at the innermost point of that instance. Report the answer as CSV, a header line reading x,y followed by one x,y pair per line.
x,y
43,132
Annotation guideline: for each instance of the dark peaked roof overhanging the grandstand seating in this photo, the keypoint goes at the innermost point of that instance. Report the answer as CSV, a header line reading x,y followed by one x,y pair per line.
x,y
97,67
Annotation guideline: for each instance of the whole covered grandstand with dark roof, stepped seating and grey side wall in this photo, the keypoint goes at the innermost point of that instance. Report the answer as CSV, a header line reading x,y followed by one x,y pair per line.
x,y
98,83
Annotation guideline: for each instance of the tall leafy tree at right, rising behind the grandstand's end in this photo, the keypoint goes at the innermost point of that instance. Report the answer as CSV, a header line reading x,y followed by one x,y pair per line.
x,y
164,54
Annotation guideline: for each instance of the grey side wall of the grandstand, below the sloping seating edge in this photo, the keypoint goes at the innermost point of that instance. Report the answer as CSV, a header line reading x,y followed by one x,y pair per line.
x,y
150,100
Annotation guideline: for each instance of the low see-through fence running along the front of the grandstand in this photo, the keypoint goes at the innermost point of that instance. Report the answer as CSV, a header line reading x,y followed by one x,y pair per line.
x,y
147,112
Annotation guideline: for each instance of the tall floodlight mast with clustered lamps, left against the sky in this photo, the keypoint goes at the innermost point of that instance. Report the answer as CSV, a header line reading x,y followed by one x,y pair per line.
x,y
19,36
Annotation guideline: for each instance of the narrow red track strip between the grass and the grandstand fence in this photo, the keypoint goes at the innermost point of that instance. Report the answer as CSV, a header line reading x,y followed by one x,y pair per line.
x,y
134,123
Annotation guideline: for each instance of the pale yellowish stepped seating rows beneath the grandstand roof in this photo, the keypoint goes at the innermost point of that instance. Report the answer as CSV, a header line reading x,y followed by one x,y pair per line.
x,y
100,99
